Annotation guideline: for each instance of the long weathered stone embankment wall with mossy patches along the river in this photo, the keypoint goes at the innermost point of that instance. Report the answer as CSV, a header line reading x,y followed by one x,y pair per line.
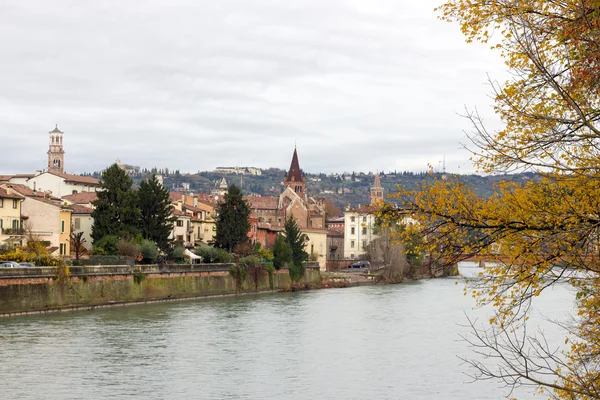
x,y
27,290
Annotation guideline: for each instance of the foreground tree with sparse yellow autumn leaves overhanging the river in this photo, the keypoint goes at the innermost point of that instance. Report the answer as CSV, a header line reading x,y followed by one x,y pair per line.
x,y
544,231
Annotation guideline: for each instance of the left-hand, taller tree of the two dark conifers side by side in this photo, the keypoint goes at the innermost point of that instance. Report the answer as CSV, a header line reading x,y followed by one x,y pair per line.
x,y
115,211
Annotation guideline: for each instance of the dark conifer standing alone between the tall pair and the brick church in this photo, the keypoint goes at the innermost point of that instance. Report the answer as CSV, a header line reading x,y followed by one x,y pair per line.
x,y
232,222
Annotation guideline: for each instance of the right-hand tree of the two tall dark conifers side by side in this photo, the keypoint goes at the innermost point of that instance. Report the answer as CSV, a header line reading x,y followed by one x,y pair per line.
x,y
156,221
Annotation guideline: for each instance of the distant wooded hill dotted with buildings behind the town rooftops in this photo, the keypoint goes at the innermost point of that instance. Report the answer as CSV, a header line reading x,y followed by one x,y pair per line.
x,y
342,189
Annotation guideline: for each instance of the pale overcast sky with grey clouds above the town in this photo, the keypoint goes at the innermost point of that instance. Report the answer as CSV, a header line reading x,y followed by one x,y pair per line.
x,y
192,84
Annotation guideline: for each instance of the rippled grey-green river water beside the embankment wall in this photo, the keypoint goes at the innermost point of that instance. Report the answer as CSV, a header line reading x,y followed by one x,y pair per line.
x,y
372,342
